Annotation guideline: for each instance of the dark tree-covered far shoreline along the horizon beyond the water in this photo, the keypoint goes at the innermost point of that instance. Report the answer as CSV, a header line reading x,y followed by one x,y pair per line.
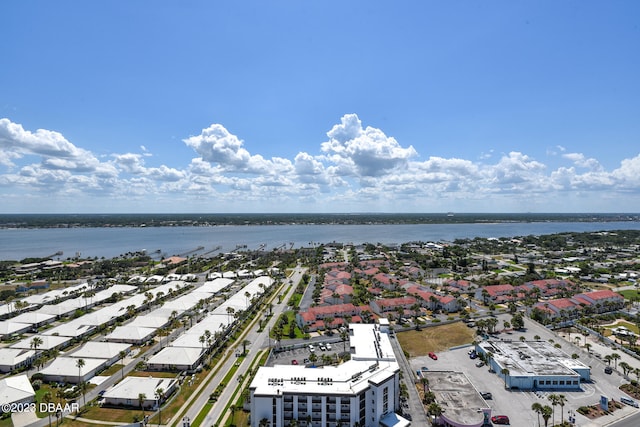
x,y
219,219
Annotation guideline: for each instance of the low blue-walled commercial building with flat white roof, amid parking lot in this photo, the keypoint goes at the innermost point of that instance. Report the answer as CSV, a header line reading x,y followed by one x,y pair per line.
x,y
534,365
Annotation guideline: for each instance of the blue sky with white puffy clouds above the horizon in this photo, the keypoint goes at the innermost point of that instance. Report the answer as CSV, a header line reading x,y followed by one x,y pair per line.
x,y
320,106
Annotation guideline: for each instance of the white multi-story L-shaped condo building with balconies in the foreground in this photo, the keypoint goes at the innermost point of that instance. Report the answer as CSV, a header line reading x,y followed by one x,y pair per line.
x,y
359,392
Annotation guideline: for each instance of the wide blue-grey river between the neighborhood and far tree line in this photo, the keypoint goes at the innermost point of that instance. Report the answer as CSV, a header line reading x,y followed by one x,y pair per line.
x,y
17,244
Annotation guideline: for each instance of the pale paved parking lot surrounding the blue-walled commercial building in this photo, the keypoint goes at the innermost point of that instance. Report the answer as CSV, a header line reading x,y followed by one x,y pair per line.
x,y
517,404
